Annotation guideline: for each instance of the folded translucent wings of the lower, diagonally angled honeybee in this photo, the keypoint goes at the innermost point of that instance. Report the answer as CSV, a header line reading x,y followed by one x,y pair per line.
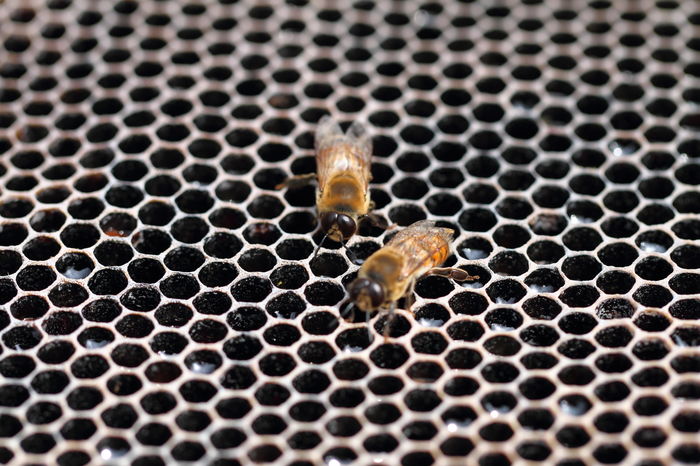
x,y
423,246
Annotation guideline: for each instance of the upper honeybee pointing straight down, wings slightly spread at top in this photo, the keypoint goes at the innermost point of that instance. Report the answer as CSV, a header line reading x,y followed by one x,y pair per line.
x,y
343,164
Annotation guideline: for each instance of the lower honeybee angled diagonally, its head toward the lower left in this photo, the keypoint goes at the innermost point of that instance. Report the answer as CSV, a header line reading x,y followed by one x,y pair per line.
x,y
391,272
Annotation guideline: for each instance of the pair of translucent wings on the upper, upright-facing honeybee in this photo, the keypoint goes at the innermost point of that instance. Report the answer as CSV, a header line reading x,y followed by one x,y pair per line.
x,y
338,153
